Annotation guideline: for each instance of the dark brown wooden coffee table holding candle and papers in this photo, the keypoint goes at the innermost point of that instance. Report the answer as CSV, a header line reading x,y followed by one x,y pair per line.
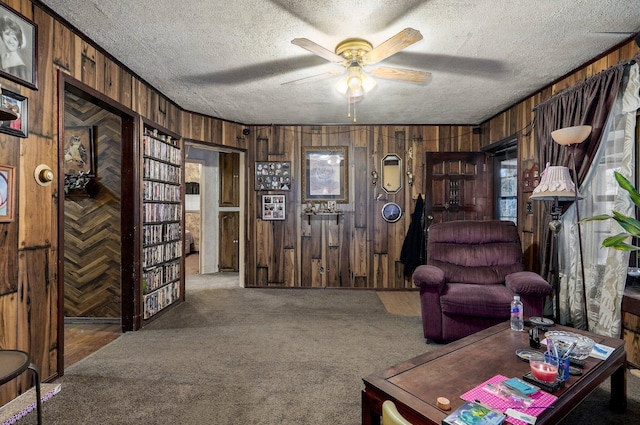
x,y
455,368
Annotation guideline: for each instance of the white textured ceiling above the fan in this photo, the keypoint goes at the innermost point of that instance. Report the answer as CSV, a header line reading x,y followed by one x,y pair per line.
x,y
228,59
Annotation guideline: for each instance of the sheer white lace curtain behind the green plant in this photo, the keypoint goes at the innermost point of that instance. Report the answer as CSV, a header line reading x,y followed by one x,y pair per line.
x,y
605,269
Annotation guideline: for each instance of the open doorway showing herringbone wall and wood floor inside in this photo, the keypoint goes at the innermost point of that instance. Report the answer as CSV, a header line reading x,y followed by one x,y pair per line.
x,y
95,279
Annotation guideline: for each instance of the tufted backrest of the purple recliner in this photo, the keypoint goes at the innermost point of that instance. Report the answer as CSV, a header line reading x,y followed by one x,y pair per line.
x,y
479,252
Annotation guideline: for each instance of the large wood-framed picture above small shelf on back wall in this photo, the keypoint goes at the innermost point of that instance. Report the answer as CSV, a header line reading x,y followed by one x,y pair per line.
x,y
324,174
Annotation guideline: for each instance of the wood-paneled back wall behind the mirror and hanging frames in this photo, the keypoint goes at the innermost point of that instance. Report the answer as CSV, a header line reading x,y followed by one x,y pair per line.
x,y
360,249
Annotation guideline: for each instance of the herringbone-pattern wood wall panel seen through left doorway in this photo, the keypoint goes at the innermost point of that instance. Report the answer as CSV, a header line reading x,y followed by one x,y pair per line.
x,y
92,225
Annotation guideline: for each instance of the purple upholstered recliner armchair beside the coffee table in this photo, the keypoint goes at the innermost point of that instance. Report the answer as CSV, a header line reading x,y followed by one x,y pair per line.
x,y
473,270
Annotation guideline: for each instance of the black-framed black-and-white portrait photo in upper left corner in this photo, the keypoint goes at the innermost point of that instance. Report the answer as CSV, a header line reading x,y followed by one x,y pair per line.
x,y
19,48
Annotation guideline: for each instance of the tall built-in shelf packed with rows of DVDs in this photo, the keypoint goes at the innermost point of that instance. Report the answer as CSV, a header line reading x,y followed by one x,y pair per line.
x,y
162,222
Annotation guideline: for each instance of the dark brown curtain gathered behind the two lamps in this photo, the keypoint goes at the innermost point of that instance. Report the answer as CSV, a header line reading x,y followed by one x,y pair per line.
x,y
587,103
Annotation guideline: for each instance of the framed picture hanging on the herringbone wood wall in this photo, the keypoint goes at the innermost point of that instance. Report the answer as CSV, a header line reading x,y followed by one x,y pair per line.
x,y
79,150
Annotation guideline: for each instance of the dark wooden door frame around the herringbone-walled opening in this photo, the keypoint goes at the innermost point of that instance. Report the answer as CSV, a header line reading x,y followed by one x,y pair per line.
x,y
129,201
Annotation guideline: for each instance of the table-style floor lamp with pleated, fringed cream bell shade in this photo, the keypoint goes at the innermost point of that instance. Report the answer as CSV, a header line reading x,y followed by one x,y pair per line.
x,y
555,186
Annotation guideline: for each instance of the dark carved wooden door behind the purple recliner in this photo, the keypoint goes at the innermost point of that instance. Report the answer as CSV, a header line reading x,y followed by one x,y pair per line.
x,y
458,186
